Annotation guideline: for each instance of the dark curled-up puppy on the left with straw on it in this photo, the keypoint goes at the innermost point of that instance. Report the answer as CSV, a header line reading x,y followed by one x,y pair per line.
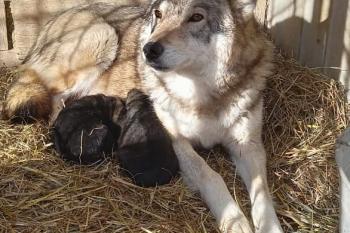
x,y
84,131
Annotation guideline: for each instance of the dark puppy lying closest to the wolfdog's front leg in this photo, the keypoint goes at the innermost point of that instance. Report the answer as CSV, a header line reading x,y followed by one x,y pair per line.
x,y
145,148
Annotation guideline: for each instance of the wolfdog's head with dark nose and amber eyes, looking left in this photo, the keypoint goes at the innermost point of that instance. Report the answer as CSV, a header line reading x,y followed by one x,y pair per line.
x,y
190,34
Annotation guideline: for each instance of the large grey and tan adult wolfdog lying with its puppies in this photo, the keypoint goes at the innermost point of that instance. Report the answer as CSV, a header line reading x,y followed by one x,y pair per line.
x,y
203,63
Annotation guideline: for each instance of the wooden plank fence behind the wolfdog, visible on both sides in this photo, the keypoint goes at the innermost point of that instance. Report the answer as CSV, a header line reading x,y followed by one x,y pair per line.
x,y
315,32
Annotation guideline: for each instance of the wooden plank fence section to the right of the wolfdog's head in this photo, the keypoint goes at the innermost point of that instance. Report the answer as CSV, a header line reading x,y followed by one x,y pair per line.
x,y
315,32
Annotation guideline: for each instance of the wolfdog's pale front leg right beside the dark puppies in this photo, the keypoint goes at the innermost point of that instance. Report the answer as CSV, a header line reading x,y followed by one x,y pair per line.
x,y
199,176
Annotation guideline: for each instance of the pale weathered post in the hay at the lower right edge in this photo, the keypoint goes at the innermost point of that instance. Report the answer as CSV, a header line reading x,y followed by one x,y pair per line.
x,y
343,161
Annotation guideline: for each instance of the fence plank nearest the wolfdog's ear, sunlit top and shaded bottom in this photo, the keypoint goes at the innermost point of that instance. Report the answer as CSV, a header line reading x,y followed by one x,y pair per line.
x,y
285,19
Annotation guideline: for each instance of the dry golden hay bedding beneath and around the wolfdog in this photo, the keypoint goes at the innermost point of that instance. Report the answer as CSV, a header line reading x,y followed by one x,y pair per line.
x,y
305,112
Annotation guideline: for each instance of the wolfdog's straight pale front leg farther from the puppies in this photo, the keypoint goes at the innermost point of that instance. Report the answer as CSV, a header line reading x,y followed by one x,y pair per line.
x,y
248,153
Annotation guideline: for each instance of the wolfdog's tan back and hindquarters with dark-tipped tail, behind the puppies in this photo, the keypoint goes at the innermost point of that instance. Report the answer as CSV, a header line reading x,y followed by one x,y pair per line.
x,y
73,56
